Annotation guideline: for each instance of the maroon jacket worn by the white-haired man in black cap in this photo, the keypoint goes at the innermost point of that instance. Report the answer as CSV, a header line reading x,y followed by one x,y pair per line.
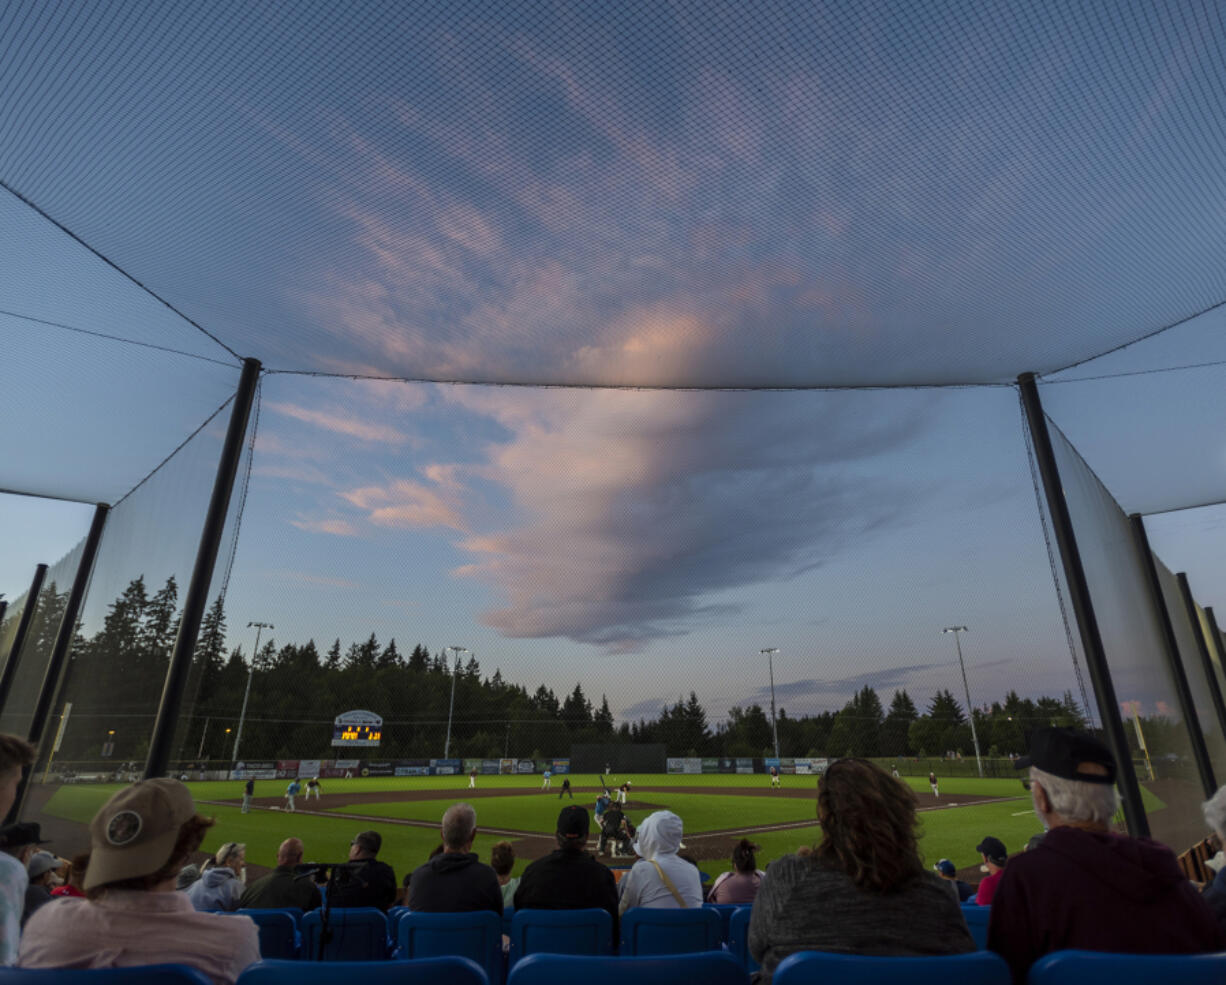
x,y
1098,892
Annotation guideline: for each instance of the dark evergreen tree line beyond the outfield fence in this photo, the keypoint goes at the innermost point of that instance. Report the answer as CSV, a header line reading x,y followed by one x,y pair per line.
x,y
116,678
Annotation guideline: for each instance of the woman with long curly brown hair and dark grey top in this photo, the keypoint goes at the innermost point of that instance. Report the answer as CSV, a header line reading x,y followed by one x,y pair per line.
x,y
864,889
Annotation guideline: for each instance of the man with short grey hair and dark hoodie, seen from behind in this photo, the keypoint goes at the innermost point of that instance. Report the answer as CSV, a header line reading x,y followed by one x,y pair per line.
x,y
457,881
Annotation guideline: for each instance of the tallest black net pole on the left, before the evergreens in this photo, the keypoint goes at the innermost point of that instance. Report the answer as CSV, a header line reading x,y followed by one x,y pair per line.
x,y
202,576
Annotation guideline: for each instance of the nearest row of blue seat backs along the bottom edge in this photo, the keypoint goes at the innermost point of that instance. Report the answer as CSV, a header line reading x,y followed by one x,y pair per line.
x,y
712,968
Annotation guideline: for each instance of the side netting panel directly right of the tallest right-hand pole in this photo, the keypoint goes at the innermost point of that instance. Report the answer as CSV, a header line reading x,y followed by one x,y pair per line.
x,y
1136,652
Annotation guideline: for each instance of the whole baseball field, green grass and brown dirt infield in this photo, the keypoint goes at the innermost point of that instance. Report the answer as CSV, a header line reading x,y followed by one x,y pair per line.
x,y
717,810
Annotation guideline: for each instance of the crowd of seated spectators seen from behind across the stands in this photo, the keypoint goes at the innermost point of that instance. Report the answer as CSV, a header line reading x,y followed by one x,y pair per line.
x,y
138,899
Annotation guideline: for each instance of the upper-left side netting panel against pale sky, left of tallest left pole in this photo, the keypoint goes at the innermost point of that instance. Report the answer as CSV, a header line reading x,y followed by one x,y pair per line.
x,y
86,418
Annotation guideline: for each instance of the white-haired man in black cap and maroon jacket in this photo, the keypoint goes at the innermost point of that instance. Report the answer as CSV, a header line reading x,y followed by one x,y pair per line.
x,y
1084,886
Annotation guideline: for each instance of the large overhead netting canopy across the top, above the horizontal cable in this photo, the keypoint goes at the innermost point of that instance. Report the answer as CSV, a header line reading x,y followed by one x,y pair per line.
x,y
687,194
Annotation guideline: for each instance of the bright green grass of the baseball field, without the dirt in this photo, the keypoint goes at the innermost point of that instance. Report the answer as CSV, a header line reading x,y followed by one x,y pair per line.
x,y
946,834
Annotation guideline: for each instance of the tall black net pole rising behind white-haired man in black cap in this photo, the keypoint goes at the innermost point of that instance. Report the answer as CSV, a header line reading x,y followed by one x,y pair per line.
x,y
1083,608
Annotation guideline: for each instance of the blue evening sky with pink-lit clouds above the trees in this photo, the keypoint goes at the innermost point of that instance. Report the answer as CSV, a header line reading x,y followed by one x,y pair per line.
x,y
719,196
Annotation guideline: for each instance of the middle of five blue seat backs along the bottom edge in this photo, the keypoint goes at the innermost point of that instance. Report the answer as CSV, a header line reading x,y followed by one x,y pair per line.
x,y
709,968
